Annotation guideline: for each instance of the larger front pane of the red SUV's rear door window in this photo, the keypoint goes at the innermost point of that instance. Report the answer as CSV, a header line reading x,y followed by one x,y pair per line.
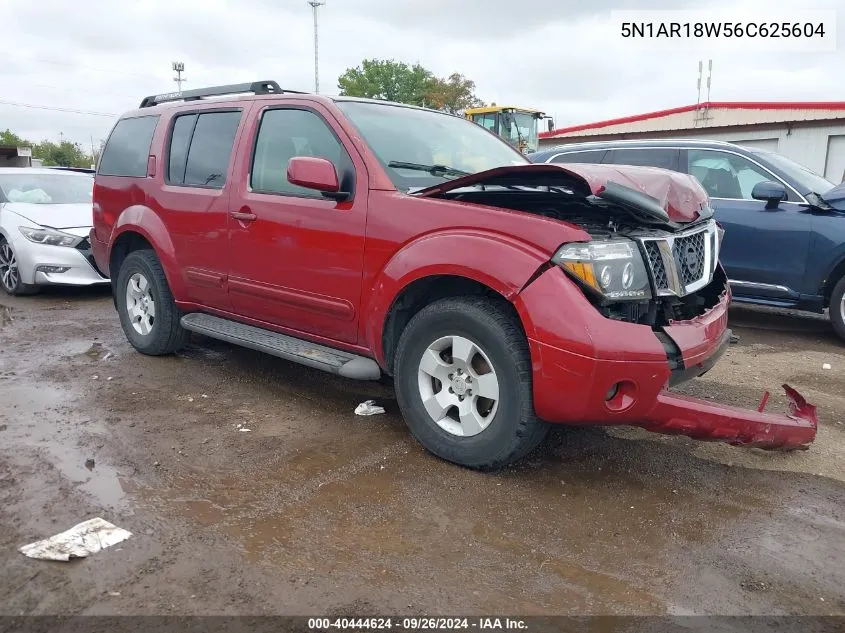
x,y
211,148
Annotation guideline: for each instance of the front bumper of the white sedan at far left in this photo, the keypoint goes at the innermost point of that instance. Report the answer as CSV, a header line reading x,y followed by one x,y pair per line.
x,y
41,264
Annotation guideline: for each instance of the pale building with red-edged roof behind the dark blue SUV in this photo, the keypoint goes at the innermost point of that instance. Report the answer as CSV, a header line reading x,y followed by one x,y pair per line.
x,y
810,133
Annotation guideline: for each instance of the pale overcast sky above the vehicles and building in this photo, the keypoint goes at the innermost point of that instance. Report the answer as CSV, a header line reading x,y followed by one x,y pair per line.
x,y
556,55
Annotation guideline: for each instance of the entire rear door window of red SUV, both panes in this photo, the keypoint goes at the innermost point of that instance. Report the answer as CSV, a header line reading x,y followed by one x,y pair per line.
x,y
201,147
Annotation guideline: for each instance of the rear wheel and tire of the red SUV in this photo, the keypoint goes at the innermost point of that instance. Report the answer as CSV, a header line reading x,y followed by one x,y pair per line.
x,y
148,314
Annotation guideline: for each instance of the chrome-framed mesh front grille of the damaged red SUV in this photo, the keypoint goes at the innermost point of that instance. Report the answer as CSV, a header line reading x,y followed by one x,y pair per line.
x,y
684,262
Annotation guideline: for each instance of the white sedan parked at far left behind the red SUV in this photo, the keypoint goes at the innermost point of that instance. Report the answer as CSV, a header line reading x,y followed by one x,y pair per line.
x,y
45,221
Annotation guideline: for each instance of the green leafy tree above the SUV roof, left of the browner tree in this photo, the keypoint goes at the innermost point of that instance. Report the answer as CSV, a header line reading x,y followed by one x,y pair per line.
x,y
387,79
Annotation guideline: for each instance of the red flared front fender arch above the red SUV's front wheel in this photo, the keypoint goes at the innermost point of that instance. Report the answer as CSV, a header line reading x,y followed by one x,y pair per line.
x,y
497,260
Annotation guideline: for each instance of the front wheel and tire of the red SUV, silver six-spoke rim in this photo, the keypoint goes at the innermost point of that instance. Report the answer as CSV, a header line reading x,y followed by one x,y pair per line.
x,y
464,385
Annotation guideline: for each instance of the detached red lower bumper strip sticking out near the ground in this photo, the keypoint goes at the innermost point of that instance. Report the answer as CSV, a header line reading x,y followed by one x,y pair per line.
x,y
675,414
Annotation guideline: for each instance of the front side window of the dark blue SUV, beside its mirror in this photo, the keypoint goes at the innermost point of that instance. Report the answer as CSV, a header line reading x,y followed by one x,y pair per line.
x,y
726,175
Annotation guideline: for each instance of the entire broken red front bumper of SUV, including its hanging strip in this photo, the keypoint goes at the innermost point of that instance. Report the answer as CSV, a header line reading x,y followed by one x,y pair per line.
x,y
619,373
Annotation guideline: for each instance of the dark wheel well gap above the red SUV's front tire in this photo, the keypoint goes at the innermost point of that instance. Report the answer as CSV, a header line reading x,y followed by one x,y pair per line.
x,y
421,293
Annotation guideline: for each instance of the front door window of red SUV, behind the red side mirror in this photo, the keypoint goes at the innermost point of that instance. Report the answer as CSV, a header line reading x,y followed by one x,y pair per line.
x,y
287,133
